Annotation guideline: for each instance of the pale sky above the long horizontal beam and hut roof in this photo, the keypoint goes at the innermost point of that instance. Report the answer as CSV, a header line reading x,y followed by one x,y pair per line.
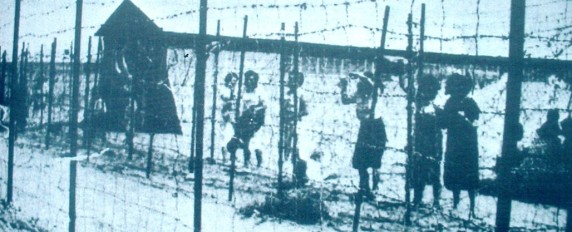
x,y
548,22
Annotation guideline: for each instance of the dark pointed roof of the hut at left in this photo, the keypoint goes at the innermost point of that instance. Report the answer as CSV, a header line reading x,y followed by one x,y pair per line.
x,y
128,20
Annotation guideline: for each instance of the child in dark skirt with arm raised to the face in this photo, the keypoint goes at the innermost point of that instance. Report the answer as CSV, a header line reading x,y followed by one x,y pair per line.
x,y
372,138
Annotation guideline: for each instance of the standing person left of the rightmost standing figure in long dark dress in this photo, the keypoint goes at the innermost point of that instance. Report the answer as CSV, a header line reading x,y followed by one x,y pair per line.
x,y
426,160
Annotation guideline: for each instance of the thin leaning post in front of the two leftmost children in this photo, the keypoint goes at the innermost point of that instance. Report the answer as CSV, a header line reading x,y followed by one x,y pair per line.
x,y
237,110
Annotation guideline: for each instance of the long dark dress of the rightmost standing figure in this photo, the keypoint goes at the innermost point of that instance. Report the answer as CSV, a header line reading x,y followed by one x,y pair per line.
x,y
461,170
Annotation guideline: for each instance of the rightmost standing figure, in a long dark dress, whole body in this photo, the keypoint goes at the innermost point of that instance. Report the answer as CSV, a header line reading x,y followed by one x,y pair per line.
x,y
462,153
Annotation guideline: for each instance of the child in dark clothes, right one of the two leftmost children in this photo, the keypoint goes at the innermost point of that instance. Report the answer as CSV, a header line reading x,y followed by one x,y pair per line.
x,y
250,120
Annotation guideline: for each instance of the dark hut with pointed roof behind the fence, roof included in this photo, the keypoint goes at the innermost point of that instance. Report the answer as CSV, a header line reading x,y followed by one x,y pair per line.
x,y
134,64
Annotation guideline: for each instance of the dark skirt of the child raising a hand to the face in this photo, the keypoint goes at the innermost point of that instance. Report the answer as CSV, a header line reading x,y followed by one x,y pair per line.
x,y
370,144
